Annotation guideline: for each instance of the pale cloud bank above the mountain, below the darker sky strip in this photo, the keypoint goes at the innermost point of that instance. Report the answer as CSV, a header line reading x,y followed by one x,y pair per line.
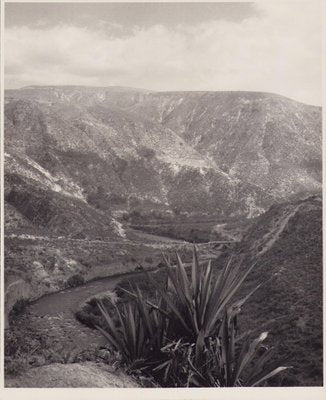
x,y
278,51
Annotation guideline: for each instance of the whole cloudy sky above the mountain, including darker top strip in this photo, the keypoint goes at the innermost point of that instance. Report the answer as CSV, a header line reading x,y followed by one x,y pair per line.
x,y
270,46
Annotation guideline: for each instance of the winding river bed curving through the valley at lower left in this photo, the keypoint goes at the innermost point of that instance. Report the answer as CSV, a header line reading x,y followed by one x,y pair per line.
x,y
47,332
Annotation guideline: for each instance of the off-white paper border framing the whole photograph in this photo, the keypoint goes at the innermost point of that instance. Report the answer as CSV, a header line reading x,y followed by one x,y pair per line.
x,y
279,393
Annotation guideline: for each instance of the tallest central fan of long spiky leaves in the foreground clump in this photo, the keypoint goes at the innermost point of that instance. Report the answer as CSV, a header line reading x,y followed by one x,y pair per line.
x,y
197,303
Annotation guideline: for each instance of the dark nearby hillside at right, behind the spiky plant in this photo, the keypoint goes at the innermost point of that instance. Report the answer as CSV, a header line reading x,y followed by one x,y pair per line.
x,y
286,243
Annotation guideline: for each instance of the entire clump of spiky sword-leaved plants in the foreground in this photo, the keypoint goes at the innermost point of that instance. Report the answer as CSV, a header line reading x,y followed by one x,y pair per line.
x,y
187,334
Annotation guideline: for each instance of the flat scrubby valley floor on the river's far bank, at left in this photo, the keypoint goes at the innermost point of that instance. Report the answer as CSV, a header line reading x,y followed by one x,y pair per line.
x,y
37,266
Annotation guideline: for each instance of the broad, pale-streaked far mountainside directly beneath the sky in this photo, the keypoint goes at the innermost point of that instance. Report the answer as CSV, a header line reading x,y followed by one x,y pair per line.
x,y
231,153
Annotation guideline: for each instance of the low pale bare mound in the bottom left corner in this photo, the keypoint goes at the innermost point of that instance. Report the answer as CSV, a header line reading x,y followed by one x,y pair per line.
x,y
88,374
